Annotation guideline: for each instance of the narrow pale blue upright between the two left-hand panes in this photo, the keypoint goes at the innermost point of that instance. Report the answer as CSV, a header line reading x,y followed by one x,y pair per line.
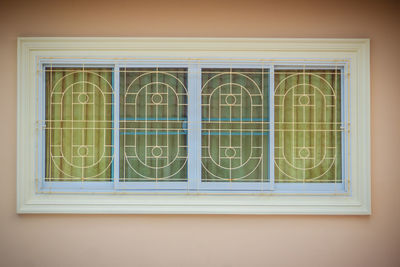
x,y
116,126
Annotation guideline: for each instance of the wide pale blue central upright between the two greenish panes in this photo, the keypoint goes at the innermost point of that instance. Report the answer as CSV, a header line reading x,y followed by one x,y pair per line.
x,y
194,127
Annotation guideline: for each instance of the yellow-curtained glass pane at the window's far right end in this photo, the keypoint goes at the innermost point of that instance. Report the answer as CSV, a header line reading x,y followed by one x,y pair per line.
x,y
308,133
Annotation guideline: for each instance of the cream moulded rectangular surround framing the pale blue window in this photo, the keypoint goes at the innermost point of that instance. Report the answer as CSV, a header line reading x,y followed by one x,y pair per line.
x,y
355,52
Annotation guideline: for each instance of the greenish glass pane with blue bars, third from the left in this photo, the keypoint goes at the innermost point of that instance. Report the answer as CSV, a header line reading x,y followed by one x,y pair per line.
x,y
235,125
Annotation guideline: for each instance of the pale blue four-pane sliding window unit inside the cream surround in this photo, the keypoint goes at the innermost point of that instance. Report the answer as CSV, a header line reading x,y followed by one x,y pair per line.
x,y
193,127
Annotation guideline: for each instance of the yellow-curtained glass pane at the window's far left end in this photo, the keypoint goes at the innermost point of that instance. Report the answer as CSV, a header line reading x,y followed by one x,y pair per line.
x,y
79,104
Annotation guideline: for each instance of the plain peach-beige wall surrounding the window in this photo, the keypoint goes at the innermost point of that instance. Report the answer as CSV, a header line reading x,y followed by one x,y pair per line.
x,y
180,240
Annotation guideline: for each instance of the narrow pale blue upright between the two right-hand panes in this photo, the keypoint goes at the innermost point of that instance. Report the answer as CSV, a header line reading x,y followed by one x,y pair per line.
x,y
271,146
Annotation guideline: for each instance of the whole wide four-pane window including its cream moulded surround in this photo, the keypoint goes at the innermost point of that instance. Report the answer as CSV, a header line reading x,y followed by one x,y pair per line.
x,y
193,126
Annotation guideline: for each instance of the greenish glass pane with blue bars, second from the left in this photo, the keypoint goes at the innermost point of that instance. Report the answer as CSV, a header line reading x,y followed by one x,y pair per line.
x,y
153,124
